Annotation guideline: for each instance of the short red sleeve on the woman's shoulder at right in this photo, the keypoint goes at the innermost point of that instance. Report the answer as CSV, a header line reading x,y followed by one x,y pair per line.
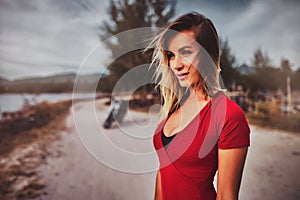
x,y
235,132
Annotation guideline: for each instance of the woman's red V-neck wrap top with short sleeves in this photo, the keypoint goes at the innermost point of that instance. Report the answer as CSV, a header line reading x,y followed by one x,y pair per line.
x,y
189,163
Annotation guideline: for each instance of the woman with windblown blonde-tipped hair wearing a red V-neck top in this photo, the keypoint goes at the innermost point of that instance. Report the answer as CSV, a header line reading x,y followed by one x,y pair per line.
x,y
202,131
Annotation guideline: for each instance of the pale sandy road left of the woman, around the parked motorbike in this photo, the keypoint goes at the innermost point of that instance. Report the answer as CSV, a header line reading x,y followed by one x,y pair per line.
x,y
76,174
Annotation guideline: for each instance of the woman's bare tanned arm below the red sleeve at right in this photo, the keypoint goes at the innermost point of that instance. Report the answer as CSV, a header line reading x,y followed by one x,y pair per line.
x,y
230,169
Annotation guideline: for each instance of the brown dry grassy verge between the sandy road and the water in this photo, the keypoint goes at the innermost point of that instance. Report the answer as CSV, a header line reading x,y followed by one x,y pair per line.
x,y
24,138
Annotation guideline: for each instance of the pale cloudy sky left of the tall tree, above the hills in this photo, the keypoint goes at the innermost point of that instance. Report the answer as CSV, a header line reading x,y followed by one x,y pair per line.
x,y
36,36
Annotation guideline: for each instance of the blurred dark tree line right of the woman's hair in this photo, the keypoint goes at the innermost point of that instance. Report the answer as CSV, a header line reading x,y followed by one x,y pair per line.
x,y
262,74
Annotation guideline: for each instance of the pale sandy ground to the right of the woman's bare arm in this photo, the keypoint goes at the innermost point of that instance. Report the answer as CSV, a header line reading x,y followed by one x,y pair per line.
x,y
272,166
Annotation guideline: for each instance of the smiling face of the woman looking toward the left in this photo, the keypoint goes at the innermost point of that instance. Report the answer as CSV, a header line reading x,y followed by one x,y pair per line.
x,y
183,55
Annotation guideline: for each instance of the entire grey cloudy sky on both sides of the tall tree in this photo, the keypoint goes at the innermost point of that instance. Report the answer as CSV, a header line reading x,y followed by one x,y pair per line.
x,y
44,37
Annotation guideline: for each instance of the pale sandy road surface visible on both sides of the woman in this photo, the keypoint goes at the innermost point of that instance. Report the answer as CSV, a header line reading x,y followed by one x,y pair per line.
x,y
271,171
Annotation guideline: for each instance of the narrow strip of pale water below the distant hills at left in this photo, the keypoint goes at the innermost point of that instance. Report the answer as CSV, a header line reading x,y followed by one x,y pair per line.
x,y
14,102
